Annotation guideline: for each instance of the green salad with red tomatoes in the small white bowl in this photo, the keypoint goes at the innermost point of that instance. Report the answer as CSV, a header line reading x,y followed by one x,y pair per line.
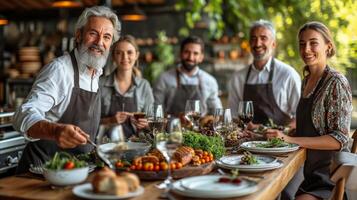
x,y
63,160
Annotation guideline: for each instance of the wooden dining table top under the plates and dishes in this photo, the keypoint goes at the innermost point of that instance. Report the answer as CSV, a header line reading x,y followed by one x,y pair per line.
x,y
29,186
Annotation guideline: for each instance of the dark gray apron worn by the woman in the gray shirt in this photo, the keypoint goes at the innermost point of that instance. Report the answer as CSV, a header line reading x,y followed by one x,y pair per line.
x,y
117,103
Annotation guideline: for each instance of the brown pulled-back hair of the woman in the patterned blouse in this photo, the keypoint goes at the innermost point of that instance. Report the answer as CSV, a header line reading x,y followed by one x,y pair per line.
x,y
326,34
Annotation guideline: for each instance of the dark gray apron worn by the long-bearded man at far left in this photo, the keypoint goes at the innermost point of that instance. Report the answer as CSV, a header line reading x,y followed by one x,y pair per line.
x,y
83,111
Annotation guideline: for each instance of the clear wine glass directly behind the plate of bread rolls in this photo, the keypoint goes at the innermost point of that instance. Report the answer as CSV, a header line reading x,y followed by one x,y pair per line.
x,y
111,144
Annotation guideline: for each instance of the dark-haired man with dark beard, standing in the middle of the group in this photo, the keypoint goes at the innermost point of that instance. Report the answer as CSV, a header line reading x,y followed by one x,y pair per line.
x,y
187,82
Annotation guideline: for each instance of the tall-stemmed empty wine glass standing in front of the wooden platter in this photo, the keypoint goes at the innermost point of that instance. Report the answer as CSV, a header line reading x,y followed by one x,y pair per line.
x,y
167,143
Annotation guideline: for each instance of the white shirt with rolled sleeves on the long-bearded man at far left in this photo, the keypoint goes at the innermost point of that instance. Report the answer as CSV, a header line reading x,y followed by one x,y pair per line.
x,y
51,92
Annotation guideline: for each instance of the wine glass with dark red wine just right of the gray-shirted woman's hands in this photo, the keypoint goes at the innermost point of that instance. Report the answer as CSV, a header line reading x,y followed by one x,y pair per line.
x,y
156,119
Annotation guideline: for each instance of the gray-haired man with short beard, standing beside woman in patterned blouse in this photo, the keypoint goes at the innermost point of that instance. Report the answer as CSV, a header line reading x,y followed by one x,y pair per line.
x,y
273,86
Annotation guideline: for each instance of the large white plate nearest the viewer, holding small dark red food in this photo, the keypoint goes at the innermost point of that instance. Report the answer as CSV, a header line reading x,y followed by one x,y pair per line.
x,y
209,187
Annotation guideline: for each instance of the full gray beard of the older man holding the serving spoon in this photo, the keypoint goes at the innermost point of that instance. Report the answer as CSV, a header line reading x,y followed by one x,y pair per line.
x,y
90,60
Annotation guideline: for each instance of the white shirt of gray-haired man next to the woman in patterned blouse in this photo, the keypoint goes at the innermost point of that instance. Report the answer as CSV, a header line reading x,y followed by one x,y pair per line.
x,y
286,86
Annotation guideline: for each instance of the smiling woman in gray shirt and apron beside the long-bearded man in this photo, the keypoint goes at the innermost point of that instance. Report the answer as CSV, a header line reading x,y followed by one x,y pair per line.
x,y
123,90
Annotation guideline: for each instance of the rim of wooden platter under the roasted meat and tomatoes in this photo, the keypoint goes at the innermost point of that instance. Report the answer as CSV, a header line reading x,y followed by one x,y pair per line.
x,y
186,171
